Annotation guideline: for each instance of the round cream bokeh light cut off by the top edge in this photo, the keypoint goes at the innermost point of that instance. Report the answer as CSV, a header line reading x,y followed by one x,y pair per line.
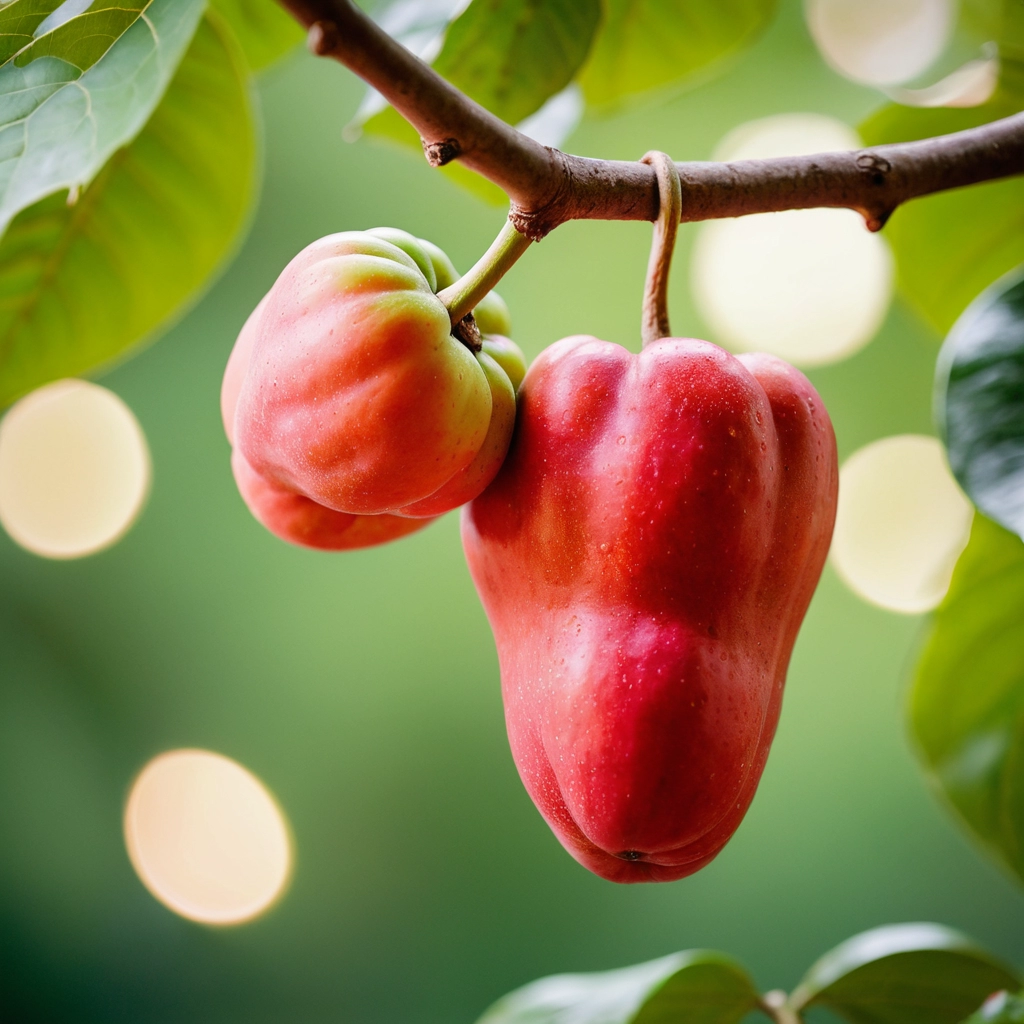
x,y
881,42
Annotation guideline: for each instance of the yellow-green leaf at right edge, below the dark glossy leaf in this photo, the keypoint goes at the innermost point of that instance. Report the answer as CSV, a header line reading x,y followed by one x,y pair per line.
x,y
967,706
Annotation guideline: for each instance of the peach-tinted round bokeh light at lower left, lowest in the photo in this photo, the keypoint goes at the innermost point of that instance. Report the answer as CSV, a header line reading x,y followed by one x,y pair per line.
x,y
206,838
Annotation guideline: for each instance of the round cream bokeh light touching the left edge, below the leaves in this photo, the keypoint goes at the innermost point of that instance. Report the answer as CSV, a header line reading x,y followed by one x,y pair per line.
x,y
74,470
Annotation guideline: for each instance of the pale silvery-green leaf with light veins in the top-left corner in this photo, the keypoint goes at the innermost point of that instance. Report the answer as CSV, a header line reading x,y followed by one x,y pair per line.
x,y
60,124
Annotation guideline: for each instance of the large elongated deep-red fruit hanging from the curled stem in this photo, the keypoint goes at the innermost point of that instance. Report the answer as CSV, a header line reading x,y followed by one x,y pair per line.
x,y
646,558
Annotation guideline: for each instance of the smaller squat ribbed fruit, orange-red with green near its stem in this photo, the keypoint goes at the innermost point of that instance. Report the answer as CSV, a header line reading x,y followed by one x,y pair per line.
x,y
348,396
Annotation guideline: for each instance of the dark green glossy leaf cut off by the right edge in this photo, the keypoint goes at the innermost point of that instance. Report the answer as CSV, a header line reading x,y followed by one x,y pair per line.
x,y
980,402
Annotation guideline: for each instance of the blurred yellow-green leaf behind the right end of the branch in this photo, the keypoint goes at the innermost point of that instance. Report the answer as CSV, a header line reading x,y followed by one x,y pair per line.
x,y
952,246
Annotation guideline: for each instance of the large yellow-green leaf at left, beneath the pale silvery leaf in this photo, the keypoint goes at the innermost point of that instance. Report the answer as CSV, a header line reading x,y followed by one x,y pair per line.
x,y
79,285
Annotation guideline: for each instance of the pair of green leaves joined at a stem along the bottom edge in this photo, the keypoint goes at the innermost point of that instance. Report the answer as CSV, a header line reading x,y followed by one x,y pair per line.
x,y
901,974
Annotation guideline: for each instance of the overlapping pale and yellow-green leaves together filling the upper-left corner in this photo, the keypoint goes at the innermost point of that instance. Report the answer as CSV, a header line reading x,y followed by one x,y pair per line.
x,y
130,166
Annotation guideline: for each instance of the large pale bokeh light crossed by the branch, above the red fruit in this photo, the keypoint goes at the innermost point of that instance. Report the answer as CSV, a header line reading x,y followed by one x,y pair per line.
x,y
810,286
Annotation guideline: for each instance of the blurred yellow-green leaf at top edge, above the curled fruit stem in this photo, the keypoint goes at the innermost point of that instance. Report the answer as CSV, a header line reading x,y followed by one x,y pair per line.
x,y
650,45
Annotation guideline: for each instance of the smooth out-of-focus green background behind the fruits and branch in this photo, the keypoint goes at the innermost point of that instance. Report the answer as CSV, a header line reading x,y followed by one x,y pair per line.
x,y
363,689
